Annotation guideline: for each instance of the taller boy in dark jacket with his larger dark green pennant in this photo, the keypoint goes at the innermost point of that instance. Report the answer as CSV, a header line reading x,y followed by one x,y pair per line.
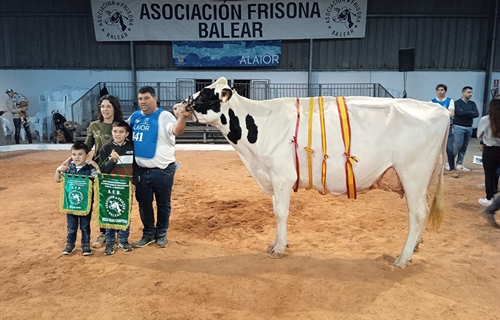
x,y
114,201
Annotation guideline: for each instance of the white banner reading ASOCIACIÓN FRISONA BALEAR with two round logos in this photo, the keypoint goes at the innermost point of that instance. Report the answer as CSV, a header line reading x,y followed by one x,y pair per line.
x,y
222,20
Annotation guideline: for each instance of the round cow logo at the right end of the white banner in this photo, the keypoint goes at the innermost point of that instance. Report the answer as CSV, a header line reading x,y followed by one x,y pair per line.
x,y
343,18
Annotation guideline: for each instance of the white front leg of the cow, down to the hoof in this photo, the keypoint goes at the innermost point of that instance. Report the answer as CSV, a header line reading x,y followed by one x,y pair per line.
x,y
281,205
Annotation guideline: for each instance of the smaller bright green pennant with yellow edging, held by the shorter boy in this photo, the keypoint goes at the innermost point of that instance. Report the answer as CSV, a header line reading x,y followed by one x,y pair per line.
x,y
76,194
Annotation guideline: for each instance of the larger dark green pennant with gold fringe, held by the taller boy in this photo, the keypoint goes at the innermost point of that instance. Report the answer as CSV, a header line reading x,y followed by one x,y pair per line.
x,y
114,201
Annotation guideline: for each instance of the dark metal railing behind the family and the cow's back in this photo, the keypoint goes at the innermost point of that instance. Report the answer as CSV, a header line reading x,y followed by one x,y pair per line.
x,y
169,93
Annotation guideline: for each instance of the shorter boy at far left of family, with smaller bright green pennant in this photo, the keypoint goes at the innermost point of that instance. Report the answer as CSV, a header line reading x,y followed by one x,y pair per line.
x,y
77,196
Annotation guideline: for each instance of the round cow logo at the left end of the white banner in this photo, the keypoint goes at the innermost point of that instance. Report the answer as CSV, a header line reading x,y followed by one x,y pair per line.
x,y
115,20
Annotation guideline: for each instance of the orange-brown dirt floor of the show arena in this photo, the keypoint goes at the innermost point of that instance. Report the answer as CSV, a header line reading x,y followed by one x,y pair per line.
x,y
338,265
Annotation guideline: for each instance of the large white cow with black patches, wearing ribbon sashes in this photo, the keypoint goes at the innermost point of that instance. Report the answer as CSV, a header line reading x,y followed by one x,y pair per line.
x,y
272,136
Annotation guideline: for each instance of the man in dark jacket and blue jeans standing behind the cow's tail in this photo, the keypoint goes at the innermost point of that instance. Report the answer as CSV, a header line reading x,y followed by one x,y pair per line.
x,y
465,112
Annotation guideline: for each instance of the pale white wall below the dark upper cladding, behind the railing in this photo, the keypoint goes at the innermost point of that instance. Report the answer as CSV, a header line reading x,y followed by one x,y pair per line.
x,y
420,84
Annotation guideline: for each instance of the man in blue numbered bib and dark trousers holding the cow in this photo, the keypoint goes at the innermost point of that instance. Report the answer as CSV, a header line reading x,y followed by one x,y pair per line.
x,y
153,133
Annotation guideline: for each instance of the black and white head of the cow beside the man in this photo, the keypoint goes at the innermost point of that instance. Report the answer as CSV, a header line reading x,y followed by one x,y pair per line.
x,y
206,104
